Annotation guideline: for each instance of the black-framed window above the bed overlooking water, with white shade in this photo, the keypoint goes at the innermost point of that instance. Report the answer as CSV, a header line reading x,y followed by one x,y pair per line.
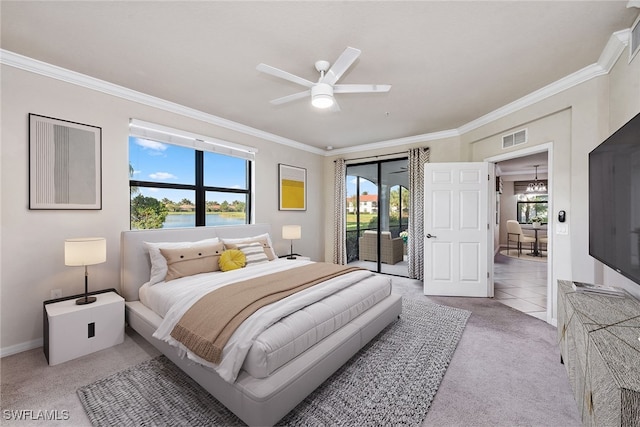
x,y
179,179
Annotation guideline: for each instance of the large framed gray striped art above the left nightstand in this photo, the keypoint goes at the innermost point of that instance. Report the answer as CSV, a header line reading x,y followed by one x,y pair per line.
x,y
65,170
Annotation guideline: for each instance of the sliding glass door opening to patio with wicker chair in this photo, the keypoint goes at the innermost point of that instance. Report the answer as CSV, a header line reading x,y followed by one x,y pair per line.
x,y
377,213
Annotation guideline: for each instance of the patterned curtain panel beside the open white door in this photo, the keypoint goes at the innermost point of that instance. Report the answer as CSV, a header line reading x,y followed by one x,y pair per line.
x,y
415,244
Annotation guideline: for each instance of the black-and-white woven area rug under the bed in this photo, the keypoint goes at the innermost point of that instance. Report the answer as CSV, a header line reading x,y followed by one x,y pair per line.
x,y
392,380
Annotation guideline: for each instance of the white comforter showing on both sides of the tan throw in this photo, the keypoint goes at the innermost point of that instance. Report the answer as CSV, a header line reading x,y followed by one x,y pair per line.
x,y
180,294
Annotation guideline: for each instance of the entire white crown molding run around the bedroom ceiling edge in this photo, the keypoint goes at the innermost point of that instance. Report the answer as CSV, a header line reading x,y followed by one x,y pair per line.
x,y
610,54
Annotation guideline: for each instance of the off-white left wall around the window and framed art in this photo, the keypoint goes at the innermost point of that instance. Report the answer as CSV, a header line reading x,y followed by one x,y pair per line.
x,y
32,244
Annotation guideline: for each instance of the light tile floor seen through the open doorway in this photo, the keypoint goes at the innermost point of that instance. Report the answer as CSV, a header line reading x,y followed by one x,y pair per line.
x,y
521,284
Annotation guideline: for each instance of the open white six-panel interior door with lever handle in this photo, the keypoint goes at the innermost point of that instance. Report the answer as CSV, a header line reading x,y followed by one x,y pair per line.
x,y
457,228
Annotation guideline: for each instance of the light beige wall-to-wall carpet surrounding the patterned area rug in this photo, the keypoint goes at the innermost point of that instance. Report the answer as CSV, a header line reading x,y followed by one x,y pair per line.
x,y
505,372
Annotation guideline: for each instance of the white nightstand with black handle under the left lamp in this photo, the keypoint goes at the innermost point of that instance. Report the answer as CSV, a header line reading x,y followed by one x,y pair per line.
x,y
73,330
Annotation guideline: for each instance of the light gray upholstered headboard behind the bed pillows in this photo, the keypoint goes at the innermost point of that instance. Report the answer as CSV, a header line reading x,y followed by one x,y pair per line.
x,y
134,258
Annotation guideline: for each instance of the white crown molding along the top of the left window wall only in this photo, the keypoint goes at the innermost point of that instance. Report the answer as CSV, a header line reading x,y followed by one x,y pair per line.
x,y
48,70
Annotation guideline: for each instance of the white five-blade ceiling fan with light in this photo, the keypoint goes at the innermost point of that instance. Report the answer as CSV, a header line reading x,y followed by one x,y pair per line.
x,y
322,91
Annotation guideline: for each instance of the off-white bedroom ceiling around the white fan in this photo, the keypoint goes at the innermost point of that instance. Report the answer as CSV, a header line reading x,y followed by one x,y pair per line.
x,y
449,62
